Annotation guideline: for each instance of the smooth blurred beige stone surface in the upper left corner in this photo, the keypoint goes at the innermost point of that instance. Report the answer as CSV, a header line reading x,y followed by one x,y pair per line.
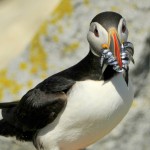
x,y
19,21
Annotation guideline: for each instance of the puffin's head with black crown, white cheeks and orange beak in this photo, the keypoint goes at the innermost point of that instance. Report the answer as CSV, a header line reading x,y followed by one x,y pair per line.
x,y
107,30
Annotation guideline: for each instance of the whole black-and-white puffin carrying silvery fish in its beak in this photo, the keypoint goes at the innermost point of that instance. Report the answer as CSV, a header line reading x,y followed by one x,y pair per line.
x,y
78,106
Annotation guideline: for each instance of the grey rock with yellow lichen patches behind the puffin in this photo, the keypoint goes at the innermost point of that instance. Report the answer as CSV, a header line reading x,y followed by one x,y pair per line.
x,y
61,42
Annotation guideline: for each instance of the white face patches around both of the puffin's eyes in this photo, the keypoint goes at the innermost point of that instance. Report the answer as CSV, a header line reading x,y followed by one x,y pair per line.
x,y
99,38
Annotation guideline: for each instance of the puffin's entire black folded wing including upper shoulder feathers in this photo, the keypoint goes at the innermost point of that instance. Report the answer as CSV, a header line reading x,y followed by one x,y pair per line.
x,y
39,106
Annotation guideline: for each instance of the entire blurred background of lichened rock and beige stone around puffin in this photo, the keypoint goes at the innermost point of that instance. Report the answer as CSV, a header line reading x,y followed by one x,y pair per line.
x,y
41,37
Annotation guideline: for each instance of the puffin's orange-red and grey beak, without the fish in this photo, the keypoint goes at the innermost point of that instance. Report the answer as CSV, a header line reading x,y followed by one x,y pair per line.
x,y
115,45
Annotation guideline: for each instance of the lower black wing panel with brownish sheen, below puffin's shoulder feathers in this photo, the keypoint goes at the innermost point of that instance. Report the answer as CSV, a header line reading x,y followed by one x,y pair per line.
x,y
38,108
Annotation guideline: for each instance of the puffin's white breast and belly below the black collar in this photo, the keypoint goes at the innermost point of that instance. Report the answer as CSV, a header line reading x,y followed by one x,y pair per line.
x,y
94,108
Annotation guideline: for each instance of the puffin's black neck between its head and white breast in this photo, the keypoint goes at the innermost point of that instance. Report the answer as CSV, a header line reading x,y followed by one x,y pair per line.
x,y
88,68
